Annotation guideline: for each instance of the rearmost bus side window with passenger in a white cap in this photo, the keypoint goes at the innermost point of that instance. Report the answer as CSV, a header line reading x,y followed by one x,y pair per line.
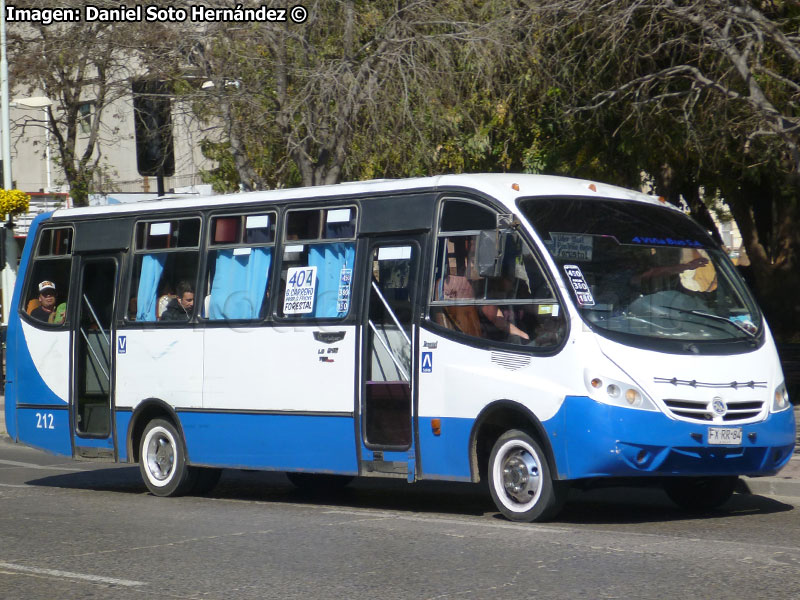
x,y
47,289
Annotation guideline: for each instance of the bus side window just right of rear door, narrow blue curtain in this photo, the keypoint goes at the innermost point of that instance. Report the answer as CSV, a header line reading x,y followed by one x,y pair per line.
x,y
167,257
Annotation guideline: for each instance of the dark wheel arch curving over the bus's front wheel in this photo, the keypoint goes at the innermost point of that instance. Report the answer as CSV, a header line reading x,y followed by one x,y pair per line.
x,y
494,420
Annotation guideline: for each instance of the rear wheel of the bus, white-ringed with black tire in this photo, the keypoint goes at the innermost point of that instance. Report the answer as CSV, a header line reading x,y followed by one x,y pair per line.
x,y
162,460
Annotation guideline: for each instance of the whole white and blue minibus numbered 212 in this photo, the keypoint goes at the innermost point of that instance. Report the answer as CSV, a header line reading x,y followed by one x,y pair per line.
x,y
526,331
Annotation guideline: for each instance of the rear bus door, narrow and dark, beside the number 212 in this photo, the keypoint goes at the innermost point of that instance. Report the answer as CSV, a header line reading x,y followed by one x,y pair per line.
x,y
91,401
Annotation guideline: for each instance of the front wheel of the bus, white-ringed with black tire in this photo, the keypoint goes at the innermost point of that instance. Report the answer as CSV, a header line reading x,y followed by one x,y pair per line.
x,y
520,482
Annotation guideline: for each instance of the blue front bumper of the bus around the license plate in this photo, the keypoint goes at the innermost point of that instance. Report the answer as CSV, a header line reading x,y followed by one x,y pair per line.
x,y
590,439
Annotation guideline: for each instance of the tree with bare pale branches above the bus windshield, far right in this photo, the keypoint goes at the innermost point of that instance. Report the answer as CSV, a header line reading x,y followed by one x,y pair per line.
x,y
703,96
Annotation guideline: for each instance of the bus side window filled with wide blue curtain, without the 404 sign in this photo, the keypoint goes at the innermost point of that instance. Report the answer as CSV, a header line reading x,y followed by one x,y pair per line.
x,y
241,251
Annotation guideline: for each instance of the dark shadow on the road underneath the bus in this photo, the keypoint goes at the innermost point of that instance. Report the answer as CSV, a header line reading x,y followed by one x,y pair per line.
x,y
616,505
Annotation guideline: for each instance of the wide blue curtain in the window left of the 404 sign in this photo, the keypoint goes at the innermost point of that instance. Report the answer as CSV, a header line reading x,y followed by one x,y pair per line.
x,y
237,290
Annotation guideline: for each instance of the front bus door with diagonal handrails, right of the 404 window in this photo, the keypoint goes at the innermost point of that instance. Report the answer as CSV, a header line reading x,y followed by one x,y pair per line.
x,y
388,356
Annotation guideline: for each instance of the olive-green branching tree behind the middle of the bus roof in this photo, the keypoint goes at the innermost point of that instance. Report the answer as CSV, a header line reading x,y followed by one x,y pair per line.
x,y
292,100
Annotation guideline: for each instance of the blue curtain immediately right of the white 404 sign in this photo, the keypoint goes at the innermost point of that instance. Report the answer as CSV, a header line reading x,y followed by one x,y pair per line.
x,y
334,264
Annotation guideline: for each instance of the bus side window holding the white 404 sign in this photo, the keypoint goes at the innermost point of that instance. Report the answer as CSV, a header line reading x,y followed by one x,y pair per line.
x,y
317,266
